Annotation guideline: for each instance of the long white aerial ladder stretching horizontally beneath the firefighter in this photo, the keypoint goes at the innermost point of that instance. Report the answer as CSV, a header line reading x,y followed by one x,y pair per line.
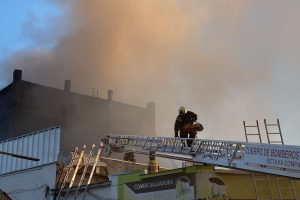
x,y
256,157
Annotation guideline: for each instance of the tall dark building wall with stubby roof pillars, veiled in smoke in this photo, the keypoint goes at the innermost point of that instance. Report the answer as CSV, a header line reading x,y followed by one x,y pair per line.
x,y
26,107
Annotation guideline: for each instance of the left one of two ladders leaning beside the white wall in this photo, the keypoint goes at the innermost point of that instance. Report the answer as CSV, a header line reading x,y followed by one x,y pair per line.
x,y
64,189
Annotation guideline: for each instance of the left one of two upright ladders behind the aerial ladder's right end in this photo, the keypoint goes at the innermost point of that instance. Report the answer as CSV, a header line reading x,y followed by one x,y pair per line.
x,y
258,178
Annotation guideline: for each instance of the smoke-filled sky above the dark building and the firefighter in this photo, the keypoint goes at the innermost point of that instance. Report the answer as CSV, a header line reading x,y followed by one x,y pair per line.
x,y
228,61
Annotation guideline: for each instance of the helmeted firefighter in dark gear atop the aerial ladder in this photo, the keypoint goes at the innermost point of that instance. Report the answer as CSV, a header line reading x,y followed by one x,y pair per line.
x,y
185,125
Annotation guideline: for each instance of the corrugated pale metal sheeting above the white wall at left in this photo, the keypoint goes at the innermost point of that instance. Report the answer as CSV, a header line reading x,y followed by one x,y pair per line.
x,y
43,144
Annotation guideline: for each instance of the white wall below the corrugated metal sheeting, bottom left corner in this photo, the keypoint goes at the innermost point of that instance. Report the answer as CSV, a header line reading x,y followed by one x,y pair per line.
x,y
30,184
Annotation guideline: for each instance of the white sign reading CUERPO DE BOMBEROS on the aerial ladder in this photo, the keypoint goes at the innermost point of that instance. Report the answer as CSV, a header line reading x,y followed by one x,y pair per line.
x,y
273,155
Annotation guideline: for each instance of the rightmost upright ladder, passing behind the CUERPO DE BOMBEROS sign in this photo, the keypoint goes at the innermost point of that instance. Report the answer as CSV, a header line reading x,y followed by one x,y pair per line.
x,y
289,181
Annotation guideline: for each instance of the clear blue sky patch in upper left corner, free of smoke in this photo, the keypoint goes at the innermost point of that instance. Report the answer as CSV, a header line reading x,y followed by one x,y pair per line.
x,y
14,15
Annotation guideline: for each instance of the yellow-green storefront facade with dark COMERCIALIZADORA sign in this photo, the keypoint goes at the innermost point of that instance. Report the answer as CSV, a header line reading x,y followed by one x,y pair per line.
x,y
202,183
